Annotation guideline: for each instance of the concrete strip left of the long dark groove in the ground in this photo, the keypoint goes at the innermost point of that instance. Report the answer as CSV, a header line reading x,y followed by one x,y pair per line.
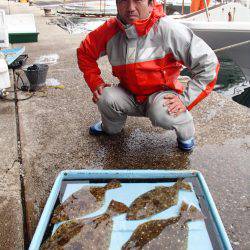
x,y
10,198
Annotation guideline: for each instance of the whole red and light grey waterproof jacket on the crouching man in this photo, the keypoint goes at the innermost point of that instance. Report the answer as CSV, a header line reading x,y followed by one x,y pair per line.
x,y
148,56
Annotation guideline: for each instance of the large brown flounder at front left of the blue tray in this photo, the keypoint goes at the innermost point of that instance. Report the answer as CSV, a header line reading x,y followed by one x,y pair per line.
x,y
89,233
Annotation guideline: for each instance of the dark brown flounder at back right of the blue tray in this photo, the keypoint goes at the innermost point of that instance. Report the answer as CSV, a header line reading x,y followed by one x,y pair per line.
x,y
155,201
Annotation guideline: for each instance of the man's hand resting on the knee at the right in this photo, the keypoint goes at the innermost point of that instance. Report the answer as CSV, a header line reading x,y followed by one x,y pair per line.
x,y
174,104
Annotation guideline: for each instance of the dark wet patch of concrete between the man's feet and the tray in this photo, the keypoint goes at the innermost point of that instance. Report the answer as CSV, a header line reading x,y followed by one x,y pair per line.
x,y
141,150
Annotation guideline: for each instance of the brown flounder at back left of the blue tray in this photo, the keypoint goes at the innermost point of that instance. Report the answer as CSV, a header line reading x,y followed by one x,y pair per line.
x,y
84,201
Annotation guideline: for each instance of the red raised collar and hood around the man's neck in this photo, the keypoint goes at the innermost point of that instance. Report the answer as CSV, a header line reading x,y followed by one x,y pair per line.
x,y
142,26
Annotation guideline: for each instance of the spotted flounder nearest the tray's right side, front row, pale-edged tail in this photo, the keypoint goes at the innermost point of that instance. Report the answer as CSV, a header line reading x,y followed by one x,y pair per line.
x,y
164,234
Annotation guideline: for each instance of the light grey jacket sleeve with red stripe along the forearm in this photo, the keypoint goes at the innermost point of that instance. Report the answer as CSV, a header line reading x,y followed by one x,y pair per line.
x,y
199,58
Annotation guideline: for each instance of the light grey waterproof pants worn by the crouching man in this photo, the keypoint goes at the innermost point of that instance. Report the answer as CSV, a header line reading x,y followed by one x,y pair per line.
x,y
116,103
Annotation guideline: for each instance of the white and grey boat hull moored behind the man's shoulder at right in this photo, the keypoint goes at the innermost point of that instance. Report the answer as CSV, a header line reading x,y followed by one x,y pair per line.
x,y
219,32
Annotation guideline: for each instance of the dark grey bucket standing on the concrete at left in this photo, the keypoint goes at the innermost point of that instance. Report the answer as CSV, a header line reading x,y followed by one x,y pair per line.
x,y
36,75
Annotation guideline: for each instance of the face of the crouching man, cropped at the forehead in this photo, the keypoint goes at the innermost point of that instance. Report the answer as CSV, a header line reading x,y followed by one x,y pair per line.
x,y
132,10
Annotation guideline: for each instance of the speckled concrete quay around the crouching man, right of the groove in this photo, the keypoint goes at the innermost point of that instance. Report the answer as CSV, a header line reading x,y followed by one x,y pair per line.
x,y
54,137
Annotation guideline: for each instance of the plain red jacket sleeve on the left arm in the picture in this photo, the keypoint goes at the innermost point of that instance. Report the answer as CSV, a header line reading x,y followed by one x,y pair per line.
x,y
93,47
